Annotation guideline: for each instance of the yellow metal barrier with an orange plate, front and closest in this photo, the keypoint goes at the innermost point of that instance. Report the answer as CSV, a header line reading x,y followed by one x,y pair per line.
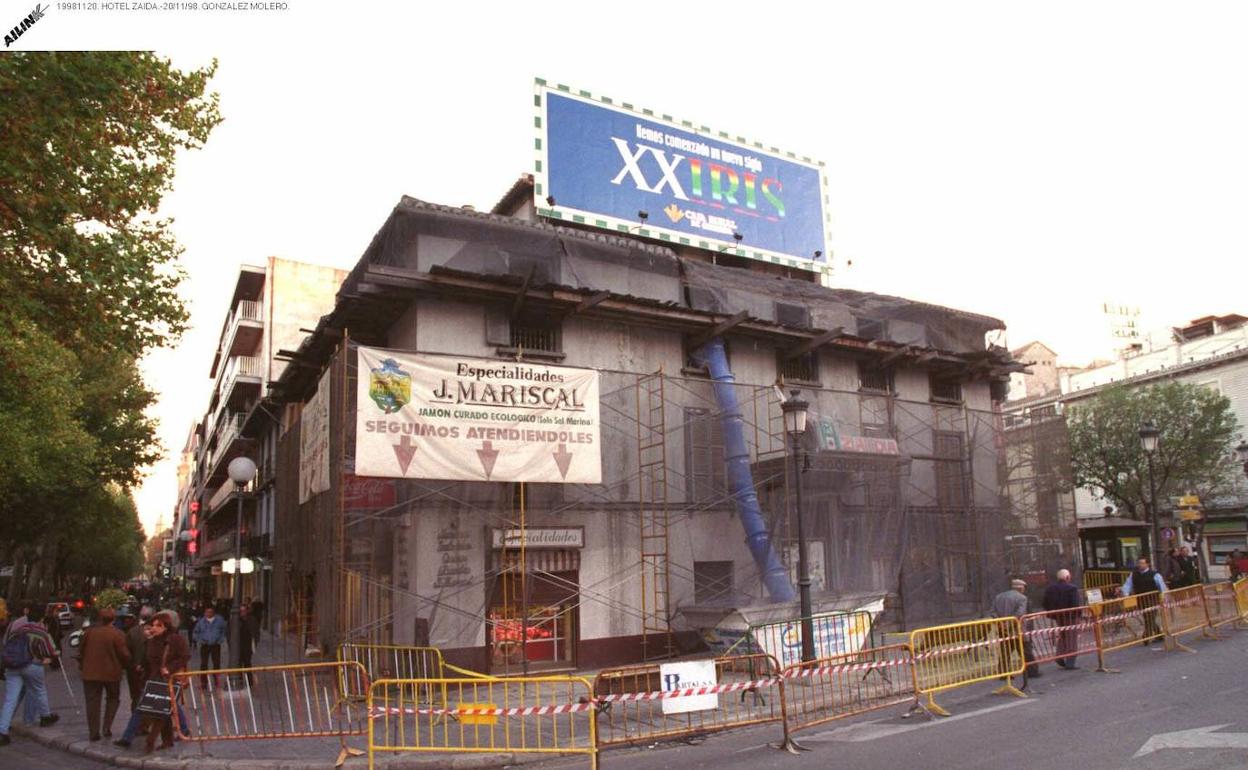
x,y
519,714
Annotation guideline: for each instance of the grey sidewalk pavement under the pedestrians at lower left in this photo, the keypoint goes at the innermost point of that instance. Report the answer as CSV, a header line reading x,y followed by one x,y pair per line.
x,y
71,734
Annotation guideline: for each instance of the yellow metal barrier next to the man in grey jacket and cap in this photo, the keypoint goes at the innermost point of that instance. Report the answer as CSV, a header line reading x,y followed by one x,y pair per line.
x,y
959,655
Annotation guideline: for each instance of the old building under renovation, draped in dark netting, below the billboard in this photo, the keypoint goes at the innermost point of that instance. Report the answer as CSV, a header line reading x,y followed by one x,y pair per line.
x,y
695,520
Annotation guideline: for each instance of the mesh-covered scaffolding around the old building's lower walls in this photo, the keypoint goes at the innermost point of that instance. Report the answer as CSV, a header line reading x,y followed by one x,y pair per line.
x,y
903,500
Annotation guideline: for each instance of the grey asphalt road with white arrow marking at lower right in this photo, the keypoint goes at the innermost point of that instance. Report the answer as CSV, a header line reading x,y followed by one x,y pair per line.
x,y
1073,719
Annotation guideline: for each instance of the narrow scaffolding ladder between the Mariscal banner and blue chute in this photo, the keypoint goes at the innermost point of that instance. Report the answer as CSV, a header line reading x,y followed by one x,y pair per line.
x,y
653,509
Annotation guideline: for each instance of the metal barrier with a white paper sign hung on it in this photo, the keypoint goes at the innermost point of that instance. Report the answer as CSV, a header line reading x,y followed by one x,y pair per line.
x,y
636,706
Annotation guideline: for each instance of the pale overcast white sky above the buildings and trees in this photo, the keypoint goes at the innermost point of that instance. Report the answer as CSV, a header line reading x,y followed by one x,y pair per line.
x,y
1028,162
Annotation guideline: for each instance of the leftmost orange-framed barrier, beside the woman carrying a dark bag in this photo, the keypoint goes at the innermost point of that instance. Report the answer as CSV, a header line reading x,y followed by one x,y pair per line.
x,y
301,701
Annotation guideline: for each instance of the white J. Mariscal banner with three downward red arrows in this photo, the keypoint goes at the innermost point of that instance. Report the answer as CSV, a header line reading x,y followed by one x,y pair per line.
x,y
421,416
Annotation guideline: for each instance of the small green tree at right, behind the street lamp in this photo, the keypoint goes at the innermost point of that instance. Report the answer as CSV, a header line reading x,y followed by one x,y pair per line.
x,y
1194,455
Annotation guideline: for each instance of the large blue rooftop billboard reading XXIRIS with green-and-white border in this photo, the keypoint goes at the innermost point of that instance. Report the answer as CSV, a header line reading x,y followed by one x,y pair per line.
x,y
603,164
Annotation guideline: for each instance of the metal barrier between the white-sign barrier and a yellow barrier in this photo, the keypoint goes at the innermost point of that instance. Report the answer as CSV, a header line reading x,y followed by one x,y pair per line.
x,y
846,686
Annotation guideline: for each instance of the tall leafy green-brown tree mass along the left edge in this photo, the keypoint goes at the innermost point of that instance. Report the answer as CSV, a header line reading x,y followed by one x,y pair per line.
x,y
89,275
